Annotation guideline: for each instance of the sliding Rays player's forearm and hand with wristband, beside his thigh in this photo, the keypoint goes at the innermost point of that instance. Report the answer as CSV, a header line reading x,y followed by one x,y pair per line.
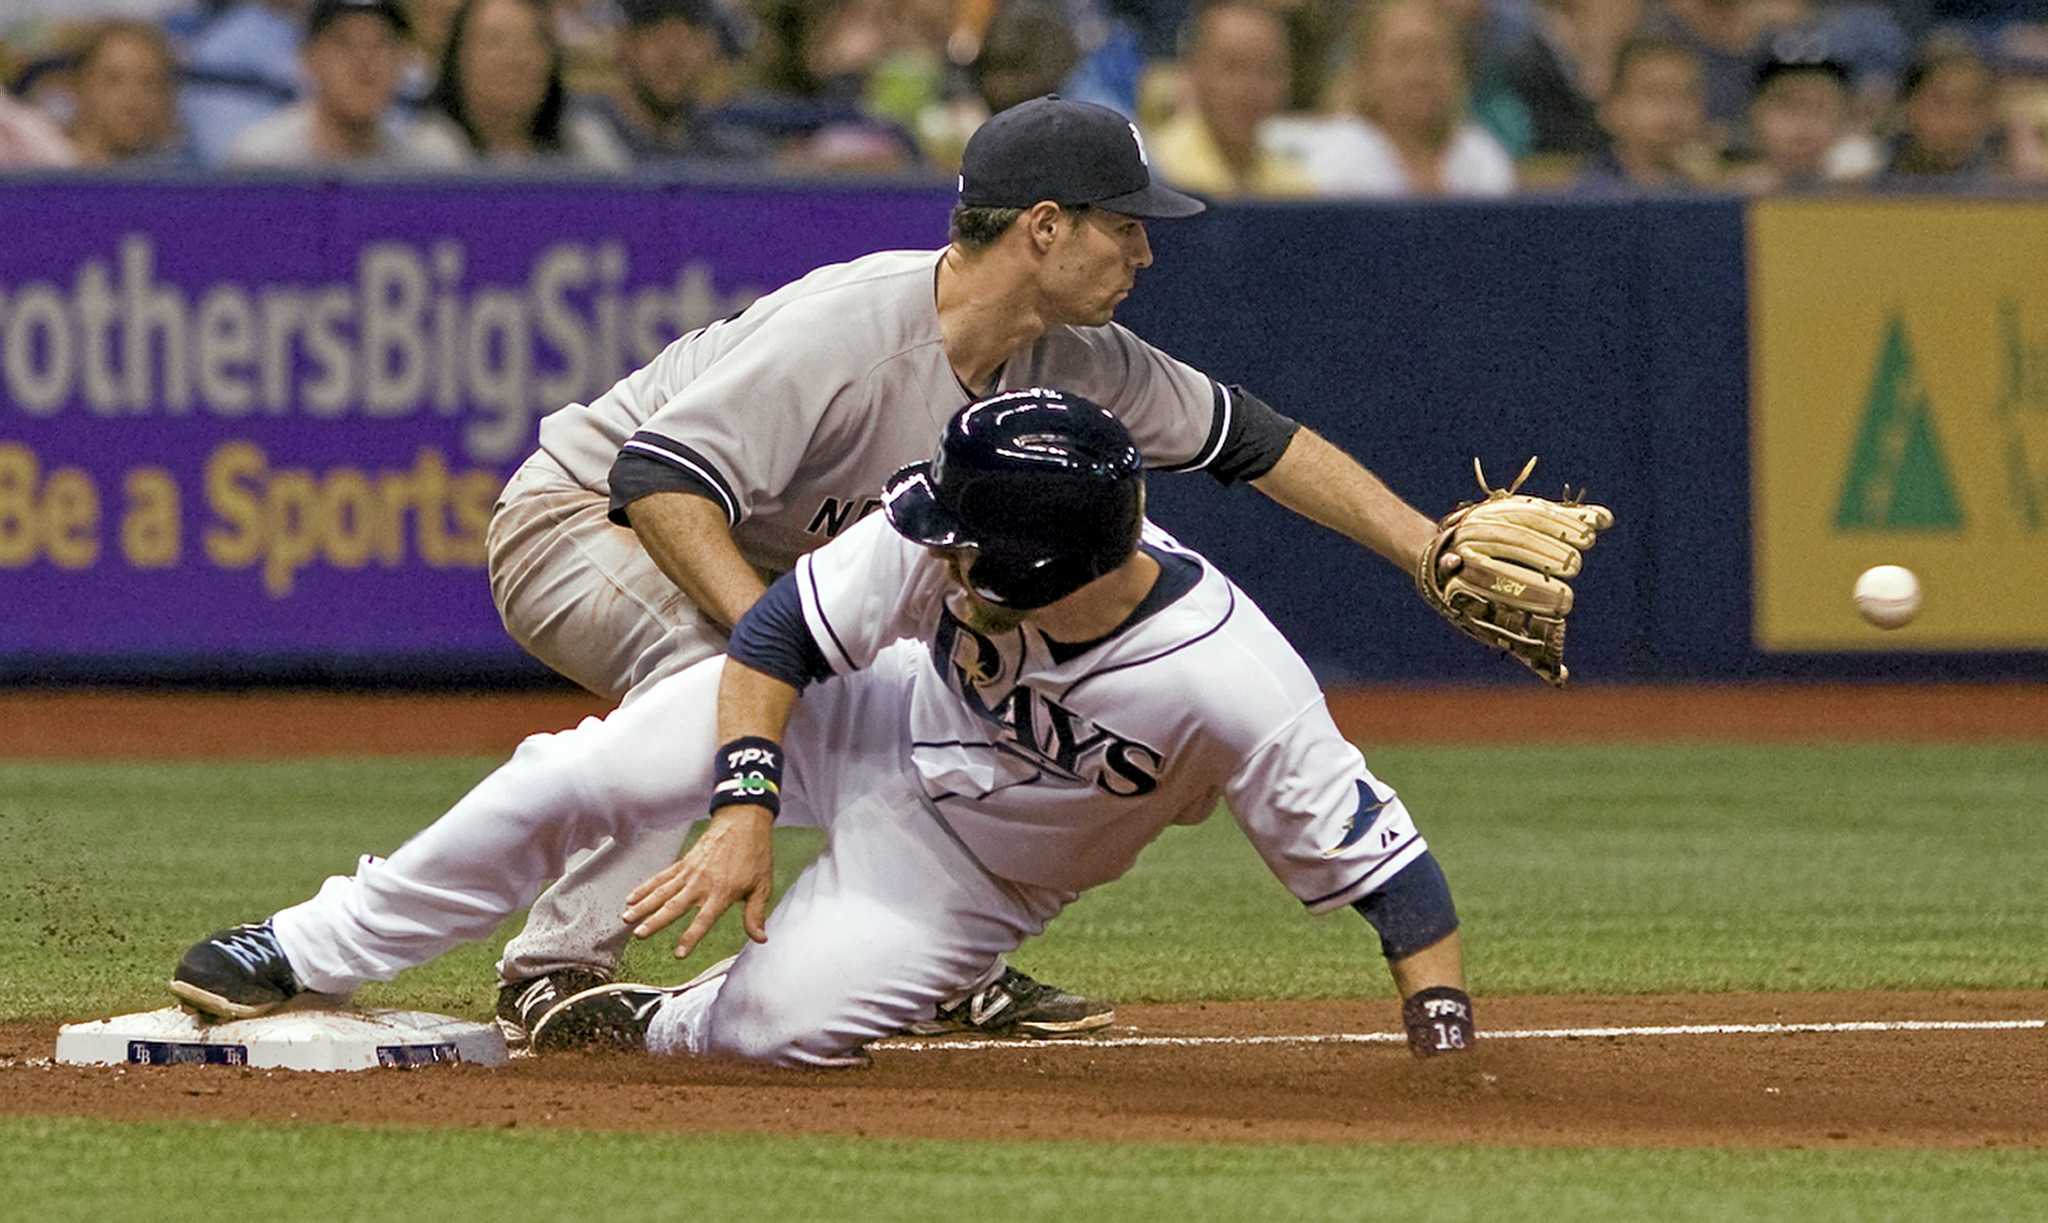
x,y
734,857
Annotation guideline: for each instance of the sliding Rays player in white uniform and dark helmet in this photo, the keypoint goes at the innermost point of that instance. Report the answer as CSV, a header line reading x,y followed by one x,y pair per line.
x,y
1011,683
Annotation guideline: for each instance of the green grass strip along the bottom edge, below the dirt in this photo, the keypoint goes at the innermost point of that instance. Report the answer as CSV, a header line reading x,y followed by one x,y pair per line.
x,y
87,1171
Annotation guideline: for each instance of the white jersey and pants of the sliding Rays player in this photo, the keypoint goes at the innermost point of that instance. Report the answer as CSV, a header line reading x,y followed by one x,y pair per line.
x,y
970,790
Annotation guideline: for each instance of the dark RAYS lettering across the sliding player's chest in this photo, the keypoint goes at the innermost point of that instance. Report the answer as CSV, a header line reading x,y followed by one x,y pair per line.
x,y
1035,726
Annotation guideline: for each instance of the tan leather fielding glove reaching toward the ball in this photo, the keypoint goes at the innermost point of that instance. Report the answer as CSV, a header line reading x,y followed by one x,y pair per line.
x,y
1498,571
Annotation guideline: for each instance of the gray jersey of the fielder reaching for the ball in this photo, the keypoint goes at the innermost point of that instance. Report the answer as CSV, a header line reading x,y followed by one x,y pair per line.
x,y
794,413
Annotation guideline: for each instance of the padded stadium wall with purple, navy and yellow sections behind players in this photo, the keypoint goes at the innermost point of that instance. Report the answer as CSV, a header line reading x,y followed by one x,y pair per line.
x,y
253,431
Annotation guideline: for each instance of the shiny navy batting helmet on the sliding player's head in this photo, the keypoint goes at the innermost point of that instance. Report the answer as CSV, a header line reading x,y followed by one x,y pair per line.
x,y
1046,489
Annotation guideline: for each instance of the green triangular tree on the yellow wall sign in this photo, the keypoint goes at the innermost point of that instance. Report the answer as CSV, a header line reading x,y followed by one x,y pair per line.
x,y
1897,476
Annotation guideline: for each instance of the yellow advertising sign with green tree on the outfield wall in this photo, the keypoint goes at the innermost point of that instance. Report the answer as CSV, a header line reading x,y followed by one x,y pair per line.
x,y
1900,415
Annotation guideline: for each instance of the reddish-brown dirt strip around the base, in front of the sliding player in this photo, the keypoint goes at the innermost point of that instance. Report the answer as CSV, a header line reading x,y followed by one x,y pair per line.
x,y
1895,1089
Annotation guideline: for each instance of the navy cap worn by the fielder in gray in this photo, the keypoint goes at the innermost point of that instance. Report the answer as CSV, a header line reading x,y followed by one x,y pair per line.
x,y
1066,153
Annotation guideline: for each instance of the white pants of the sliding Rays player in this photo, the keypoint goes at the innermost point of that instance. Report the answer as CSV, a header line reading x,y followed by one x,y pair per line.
x,y
894,919
